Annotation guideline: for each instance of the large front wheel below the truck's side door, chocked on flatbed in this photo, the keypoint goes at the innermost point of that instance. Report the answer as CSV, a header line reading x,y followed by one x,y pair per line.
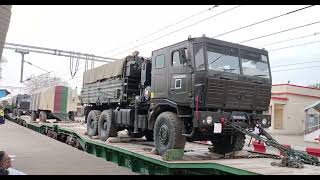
x,y
167,134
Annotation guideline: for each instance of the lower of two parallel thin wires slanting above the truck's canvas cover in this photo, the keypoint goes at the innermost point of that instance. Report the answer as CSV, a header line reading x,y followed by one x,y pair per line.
x,y
177,30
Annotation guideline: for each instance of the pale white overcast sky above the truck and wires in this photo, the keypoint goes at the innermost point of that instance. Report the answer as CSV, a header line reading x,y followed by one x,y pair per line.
x,y
113,31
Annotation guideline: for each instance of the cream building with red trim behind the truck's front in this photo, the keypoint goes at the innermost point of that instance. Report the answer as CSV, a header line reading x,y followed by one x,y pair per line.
x,y
287,106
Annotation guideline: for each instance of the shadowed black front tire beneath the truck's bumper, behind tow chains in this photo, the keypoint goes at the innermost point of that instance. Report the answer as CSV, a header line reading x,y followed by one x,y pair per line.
x,y
223,144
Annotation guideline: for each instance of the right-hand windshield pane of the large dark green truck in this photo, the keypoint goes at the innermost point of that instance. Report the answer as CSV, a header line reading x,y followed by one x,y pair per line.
x,y
254,64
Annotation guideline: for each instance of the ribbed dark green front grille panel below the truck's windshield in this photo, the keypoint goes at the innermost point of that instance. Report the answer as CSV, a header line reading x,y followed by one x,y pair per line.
x,y
237,95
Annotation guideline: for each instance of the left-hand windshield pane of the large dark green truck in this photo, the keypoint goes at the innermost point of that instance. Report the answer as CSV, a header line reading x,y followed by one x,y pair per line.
x,y
224,60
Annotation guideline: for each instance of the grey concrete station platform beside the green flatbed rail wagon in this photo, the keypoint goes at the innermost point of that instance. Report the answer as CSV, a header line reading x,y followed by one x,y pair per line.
x,y
37,154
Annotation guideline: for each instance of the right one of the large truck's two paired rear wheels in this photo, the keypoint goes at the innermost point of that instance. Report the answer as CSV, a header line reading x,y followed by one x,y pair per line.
x,y
107,126
